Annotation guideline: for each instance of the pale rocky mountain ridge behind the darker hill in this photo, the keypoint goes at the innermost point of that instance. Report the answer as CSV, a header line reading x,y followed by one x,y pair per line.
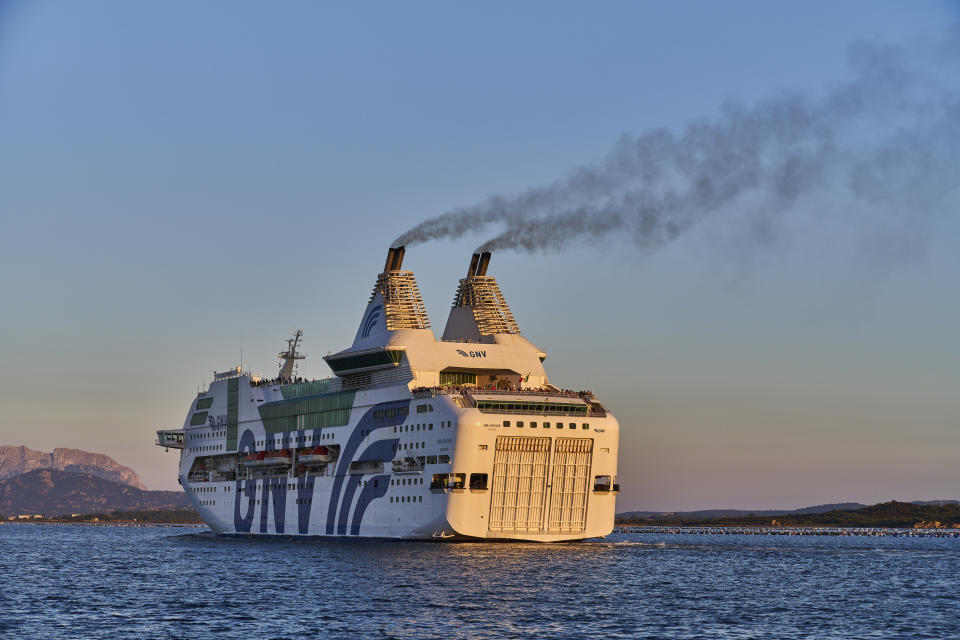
x,y
15,461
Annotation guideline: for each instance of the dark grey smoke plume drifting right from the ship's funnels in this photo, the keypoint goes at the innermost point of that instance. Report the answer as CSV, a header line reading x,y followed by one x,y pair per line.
x,y
888,137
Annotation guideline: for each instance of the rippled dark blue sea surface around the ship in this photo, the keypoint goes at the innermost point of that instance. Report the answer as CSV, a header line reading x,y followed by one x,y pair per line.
x,y
111,582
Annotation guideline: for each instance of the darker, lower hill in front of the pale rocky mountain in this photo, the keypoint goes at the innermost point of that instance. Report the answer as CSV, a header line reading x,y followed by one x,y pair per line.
x,y
51,492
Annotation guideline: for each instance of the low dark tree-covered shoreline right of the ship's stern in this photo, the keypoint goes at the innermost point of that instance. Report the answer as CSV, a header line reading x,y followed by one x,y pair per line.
x,y
886,514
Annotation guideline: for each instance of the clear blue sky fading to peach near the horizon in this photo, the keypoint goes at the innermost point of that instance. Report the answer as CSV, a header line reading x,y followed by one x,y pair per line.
x,y
178,179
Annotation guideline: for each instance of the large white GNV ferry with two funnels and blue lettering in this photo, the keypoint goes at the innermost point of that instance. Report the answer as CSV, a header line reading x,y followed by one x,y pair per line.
x,y
461,438
